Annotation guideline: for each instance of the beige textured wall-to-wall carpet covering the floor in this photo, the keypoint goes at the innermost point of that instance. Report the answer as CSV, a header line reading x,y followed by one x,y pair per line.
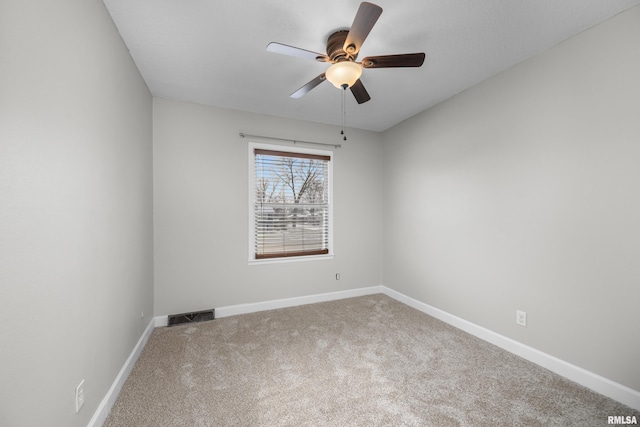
x,y
366,361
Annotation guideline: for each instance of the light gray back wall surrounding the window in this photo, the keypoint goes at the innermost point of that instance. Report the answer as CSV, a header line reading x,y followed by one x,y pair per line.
x,y
201,219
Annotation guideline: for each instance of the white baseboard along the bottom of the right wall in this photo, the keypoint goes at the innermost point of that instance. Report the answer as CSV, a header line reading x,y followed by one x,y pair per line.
x,y
595,382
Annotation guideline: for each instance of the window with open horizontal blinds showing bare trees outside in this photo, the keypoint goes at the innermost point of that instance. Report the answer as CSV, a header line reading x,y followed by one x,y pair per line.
x,y
290,202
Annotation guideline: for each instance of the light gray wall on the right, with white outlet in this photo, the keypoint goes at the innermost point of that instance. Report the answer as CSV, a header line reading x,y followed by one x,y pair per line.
x,y
523,193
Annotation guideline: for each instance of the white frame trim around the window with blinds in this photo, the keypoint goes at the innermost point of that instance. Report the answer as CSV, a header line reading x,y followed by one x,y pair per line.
x,y
252,193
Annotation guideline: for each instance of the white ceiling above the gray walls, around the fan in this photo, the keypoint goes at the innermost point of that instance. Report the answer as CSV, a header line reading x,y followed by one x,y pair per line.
x,y
213,52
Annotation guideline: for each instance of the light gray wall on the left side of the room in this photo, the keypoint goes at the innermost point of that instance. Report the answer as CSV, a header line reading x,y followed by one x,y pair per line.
x,y
75,209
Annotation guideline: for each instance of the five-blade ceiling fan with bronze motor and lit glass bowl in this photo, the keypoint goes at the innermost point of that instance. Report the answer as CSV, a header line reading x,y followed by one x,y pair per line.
x,y
343,47
